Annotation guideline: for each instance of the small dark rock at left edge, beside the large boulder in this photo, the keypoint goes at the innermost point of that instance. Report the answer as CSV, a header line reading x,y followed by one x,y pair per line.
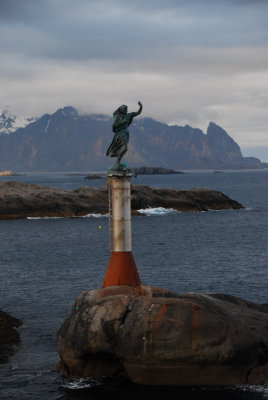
x,y
9,336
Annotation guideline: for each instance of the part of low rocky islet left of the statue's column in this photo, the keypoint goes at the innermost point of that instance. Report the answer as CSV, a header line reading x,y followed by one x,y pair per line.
x,y
20,200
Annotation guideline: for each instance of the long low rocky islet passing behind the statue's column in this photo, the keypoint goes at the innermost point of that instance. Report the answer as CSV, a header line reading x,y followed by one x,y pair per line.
x,y
21,200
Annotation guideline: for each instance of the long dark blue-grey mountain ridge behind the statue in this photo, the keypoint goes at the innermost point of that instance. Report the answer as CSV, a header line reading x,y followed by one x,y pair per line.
x,y
69,141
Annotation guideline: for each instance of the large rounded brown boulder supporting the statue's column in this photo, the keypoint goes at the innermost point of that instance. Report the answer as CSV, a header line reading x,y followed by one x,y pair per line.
x,y
156,337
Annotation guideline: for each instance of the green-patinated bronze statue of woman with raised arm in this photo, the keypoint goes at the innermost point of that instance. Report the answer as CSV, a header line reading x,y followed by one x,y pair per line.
x,y
118,147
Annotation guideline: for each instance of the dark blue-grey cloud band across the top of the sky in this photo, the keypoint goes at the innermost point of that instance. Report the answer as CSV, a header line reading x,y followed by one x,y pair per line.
x,y
89,29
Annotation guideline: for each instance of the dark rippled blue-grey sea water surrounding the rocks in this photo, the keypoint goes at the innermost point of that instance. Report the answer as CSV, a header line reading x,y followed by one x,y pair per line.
x,y
46,263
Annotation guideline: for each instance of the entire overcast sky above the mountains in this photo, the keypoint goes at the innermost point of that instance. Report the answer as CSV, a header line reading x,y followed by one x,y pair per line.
x,y
188,61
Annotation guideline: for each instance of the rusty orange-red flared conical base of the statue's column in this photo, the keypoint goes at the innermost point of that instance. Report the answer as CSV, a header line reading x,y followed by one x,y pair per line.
x,y
122,270
